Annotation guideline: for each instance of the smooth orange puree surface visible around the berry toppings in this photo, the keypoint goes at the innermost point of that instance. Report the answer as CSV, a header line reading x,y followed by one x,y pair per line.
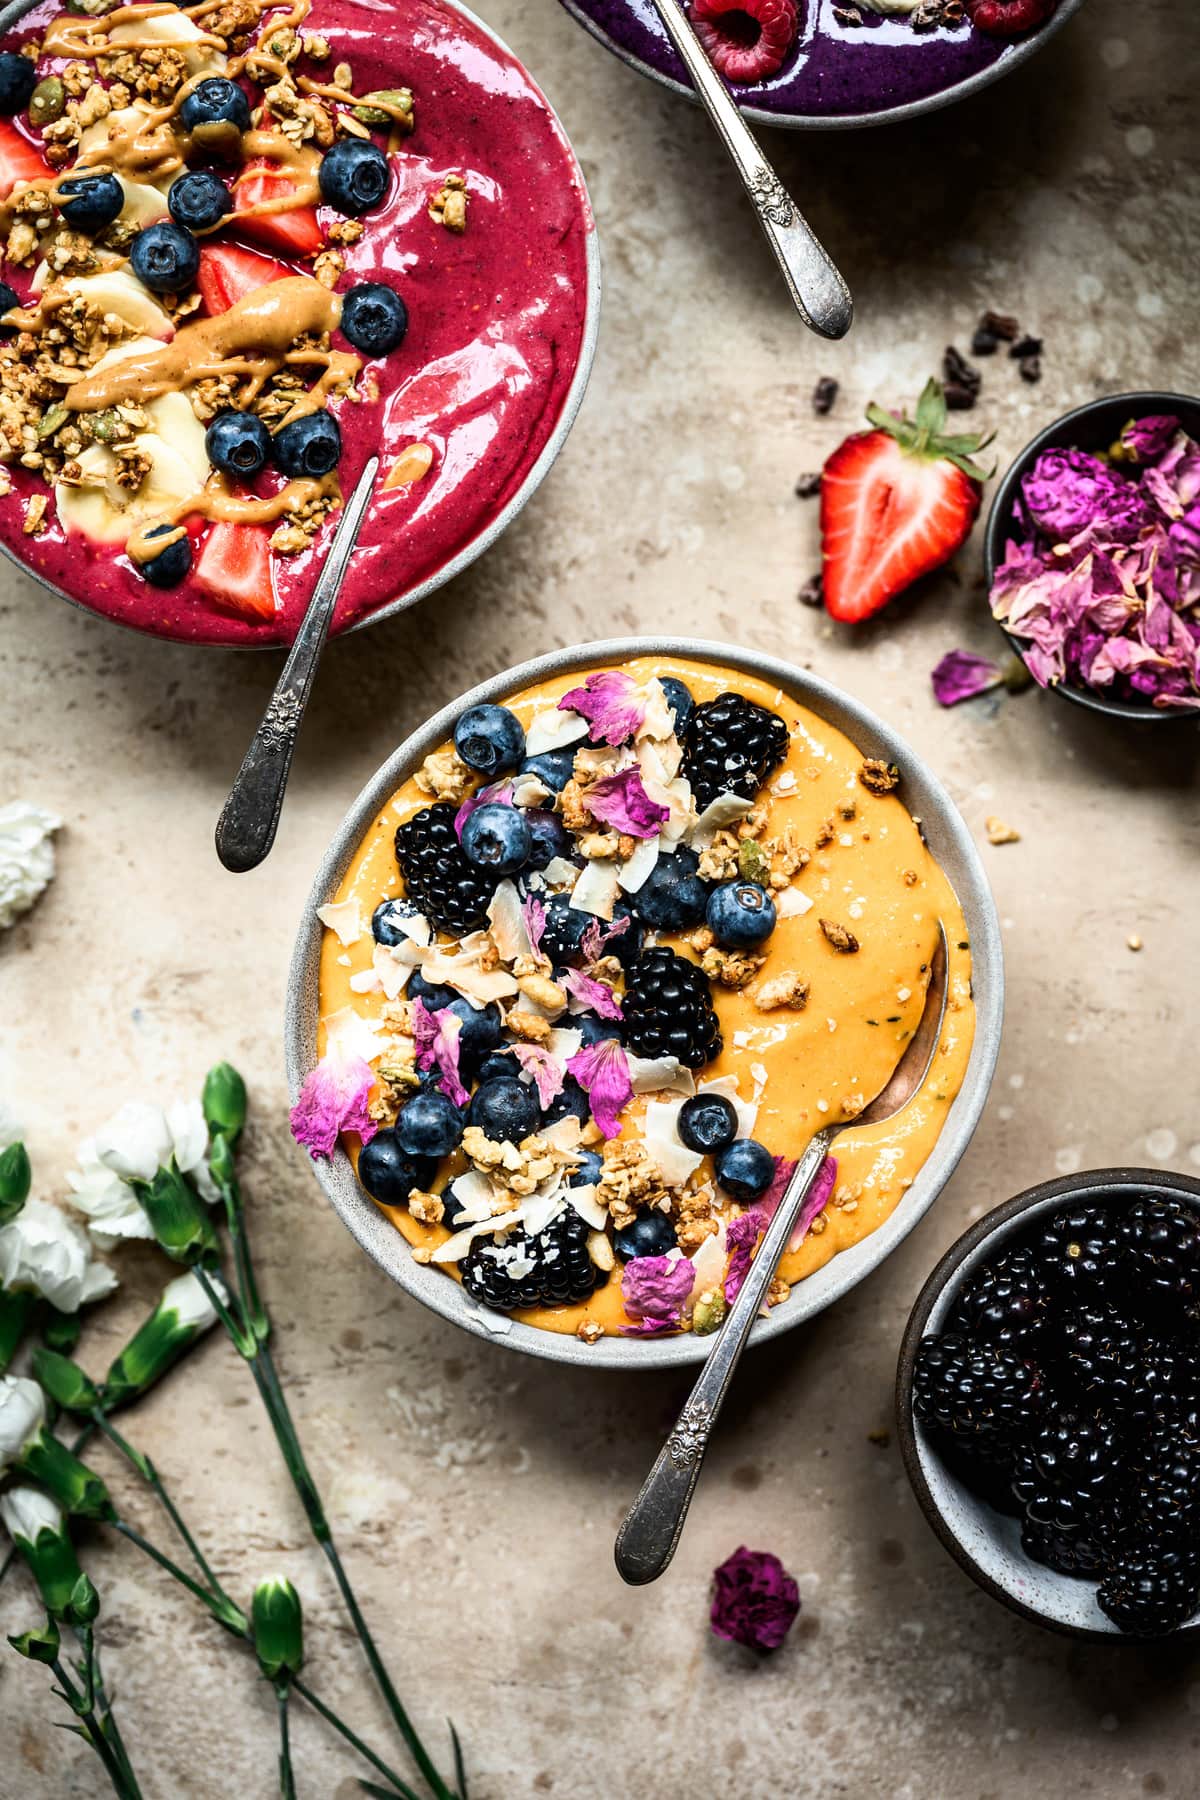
x,y
816,1065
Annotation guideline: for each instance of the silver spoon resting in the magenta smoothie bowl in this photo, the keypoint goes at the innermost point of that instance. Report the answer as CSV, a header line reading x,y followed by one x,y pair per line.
x,y
249,820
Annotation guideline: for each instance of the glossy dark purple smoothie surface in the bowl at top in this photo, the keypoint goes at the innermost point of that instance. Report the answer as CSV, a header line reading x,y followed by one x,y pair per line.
x,y
834,71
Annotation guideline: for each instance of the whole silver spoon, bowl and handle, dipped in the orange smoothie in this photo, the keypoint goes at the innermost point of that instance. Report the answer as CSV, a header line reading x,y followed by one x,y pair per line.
x,y
656,1520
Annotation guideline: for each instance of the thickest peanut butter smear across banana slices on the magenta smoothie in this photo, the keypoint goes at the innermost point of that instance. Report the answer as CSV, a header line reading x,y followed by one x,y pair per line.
x,y
255,337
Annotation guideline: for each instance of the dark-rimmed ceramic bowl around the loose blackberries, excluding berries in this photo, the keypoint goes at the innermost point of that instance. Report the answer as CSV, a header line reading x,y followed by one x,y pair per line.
x,y
981,1540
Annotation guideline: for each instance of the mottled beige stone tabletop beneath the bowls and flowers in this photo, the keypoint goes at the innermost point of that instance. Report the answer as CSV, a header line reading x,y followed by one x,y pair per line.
x,y
478,1495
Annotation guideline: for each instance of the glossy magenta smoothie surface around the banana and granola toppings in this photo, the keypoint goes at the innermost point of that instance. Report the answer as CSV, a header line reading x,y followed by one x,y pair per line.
x,y
496,330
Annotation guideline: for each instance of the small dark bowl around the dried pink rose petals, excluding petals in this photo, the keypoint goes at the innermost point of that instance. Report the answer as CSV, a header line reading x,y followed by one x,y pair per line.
x,y
1089,427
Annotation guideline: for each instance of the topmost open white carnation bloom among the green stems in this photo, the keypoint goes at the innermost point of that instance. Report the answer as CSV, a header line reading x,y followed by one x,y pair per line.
x,y
132,1147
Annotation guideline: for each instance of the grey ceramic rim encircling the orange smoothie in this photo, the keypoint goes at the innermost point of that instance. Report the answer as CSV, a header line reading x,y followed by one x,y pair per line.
x,y
951,843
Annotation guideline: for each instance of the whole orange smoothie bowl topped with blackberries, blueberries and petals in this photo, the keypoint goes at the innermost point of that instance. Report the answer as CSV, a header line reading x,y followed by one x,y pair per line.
x,y
593,960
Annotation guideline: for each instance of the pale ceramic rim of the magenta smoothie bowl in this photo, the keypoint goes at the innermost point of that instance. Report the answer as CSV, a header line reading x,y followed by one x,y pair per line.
x,y
535,476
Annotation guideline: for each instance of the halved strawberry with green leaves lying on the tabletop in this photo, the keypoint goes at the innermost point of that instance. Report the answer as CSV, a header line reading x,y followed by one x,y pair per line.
x,y
895,505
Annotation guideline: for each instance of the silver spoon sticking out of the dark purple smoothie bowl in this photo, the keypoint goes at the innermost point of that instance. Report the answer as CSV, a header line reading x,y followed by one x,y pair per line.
x,y
818,291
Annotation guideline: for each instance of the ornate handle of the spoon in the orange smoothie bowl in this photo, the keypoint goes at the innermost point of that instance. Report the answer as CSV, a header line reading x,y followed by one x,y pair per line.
x,y
654,1524
